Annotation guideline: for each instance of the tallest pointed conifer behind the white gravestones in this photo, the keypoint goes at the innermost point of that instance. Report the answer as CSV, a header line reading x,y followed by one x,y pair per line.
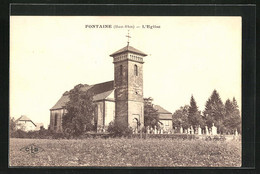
x,y
214,110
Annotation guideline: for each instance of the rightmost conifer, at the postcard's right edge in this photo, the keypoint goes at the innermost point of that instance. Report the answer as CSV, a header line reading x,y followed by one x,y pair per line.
x,y
232,119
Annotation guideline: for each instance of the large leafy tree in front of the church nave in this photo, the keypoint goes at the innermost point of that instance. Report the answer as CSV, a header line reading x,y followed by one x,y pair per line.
x,y
79,112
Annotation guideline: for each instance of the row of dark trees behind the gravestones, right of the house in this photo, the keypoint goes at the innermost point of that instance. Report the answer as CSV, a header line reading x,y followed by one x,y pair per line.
x,y
225,116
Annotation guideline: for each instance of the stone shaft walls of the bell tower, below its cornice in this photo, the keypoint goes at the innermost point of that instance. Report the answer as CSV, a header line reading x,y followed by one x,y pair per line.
x,y
129,92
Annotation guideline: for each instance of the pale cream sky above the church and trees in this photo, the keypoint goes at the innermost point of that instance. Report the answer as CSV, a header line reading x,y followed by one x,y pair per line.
x,y
186,56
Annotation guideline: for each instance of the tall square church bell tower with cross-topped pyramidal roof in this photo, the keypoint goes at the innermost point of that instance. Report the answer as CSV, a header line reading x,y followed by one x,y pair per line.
x,y
128,83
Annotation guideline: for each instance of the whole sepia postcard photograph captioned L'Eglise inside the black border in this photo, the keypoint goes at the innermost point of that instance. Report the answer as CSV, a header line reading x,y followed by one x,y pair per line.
x,y
125,91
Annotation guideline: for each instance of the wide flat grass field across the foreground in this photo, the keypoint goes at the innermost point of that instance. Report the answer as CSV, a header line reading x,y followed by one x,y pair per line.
x,y
127,152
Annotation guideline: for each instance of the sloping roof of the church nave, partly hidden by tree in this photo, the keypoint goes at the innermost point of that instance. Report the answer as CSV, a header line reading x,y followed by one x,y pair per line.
x,y
101,91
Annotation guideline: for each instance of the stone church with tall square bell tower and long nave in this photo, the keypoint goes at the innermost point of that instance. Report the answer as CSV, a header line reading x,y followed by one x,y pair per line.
x,y
120,99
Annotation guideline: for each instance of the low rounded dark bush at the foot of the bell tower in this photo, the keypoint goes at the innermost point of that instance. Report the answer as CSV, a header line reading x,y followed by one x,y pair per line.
x,y
118,130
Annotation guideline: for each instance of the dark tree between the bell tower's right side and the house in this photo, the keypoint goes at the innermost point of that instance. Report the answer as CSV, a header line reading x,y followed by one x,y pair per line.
x,y
151,115
